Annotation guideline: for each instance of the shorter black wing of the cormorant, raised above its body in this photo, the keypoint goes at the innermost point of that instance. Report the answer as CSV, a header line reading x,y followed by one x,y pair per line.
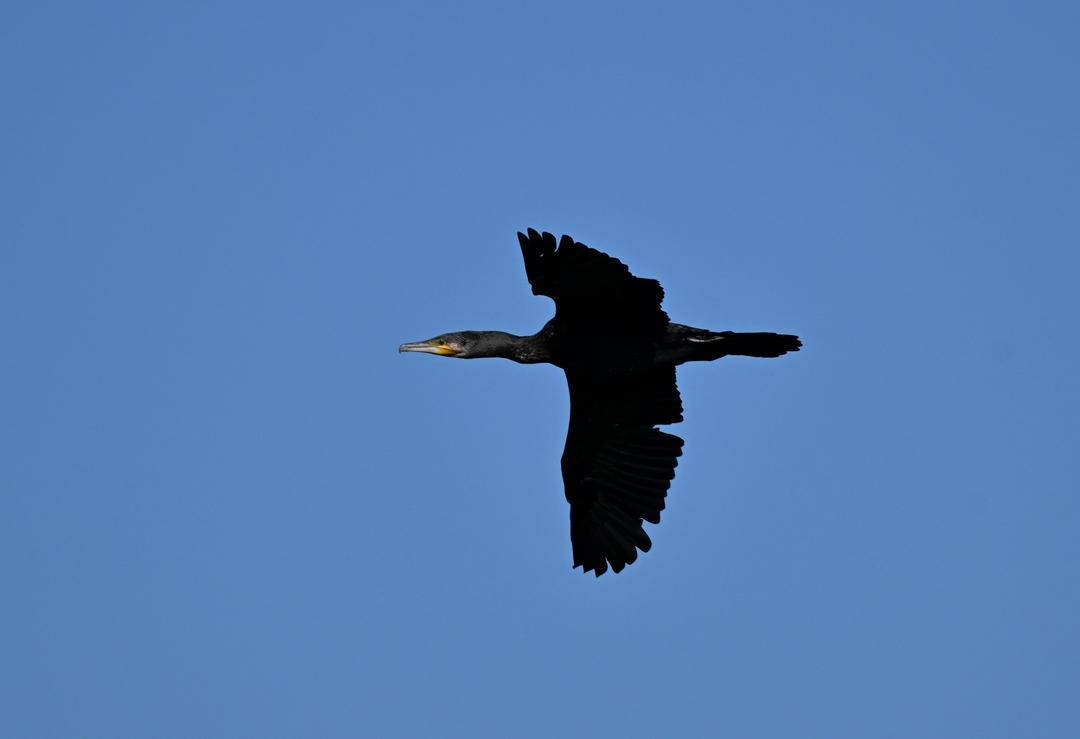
x,y
595,293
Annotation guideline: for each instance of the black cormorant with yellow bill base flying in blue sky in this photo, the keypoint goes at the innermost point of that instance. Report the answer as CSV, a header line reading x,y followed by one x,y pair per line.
x,y
619,352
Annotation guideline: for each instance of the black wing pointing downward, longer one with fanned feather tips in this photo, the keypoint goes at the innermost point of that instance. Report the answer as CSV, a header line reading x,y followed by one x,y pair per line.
x,y
617,467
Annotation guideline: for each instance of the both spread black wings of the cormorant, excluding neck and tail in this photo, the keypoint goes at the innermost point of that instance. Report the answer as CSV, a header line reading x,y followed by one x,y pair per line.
x,y
617,466
